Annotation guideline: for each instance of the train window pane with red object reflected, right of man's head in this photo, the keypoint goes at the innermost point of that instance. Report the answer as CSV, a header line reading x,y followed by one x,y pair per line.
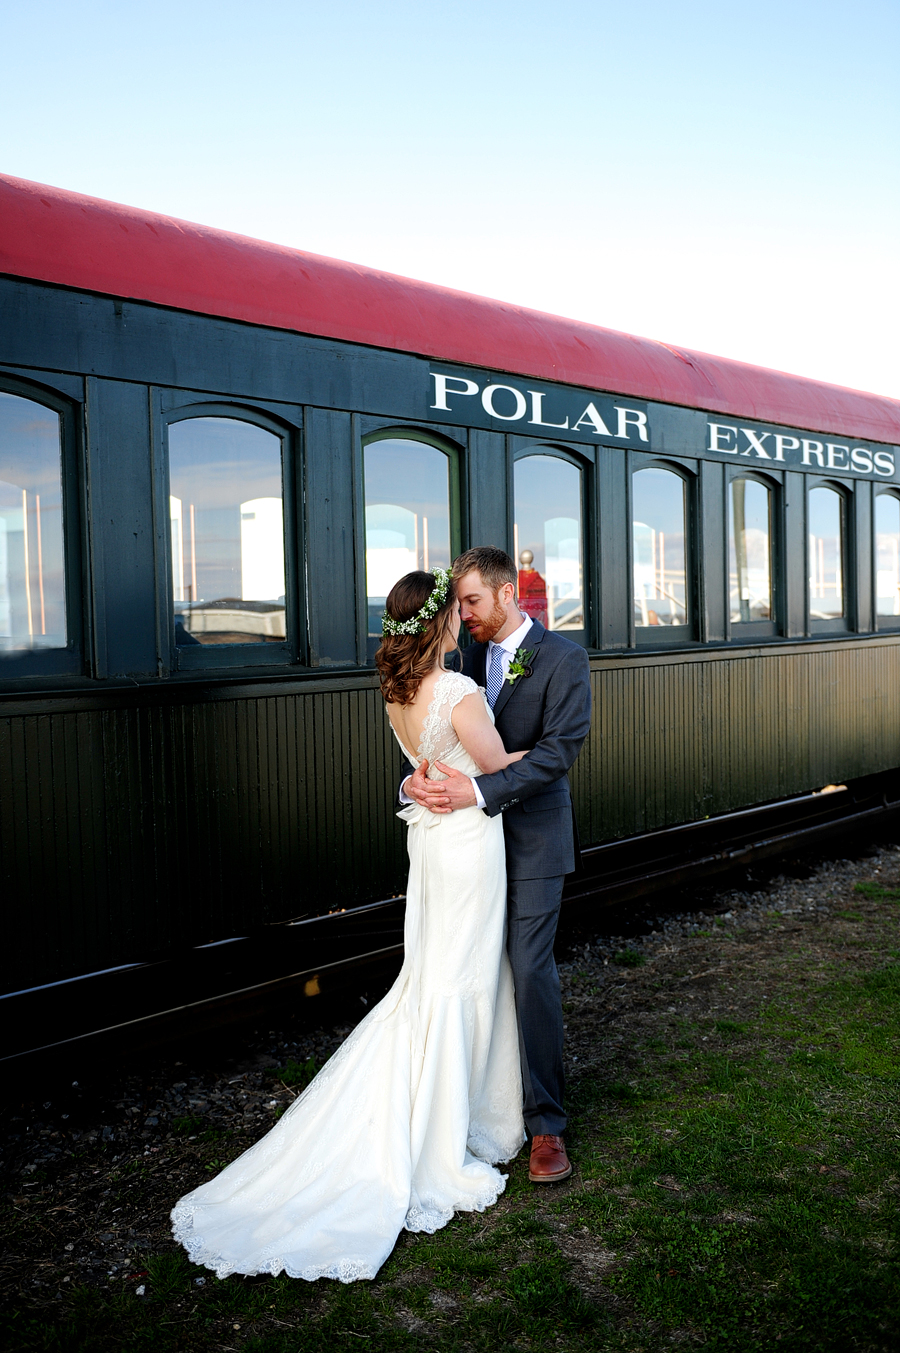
x,y
549,542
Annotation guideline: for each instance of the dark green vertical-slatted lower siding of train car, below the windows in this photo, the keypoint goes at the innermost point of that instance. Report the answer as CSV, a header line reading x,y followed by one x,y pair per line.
x,y
132,833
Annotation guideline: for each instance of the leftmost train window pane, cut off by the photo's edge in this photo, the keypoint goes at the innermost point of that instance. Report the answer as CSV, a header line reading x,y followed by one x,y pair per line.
x,y
32,555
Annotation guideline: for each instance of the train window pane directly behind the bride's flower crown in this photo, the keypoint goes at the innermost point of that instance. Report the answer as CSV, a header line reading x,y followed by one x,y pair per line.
x,y
408,520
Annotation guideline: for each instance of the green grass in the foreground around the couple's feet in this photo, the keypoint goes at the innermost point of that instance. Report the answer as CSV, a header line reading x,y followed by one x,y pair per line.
x,y
740,1194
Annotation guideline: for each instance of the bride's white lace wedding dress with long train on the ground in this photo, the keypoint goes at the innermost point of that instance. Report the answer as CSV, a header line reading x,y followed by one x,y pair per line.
x,y
405,1124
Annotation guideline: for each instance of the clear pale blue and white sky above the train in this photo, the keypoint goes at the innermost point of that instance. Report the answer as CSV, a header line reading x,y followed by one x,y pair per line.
x,y
718,175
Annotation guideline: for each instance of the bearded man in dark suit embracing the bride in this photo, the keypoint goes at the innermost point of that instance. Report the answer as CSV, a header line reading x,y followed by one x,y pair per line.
x,y
538,685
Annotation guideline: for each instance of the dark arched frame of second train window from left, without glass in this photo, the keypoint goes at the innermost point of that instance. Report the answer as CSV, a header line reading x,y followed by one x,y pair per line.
x,y
228,658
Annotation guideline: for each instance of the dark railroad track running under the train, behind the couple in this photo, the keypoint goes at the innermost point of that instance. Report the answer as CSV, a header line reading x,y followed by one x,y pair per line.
x,y
141,1006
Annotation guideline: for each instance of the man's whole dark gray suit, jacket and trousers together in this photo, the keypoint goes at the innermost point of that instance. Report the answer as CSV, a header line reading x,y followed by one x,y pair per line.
x,y
549,712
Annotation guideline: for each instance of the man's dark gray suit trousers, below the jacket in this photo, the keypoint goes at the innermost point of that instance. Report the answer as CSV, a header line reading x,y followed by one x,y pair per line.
x,y
533,917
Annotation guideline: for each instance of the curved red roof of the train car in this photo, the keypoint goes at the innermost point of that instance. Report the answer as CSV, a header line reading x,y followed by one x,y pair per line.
x,y
70,240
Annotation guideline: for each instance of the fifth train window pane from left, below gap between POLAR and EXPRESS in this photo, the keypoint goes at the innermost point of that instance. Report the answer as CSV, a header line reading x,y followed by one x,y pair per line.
x,y
658,508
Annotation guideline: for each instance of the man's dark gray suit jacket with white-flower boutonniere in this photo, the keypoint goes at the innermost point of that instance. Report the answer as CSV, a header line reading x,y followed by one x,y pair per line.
x,y
549,712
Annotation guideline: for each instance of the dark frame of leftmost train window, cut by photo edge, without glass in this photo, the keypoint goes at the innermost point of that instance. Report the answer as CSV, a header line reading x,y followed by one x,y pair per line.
x,y
71,661
